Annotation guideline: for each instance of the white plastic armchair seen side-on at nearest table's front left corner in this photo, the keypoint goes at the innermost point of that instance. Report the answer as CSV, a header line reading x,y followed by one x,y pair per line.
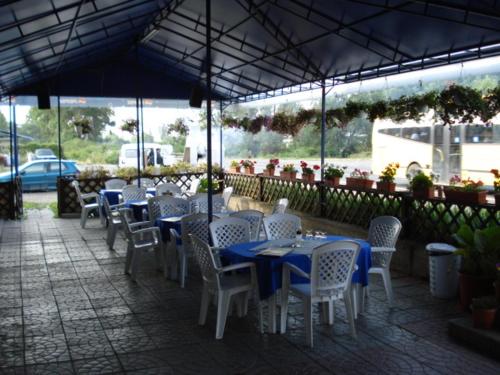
x,y
219,282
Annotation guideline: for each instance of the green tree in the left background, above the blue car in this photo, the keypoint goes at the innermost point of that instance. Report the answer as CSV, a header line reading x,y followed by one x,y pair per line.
x,y
42,124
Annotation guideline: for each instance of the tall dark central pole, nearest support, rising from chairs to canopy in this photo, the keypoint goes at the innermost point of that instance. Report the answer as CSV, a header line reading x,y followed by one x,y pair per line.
x,y
208,57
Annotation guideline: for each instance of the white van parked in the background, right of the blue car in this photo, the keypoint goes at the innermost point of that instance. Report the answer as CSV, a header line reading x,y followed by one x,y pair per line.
x,y
154,154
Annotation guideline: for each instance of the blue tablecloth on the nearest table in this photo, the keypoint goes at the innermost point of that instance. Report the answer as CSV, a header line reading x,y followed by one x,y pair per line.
x,y
269,268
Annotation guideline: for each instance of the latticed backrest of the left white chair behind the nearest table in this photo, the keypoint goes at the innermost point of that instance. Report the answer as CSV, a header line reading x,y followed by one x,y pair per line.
x,y
229,231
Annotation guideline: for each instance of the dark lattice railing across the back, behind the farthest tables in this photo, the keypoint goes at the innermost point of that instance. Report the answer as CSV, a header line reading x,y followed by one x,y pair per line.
x,y
67,200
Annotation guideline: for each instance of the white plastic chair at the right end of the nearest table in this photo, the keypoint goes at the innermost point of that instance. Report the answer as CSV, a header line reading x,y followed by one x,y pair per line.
x,y
382,236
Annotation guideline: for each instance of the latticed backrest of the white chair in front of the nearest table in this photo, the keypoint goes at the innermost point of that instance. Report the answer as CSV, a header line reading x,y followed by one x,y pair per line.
x,y
332,266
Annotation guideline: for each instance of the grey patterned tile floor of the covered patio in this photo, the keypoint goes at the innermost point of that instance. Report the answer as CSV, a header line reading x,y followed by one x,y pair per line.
x,y
66,307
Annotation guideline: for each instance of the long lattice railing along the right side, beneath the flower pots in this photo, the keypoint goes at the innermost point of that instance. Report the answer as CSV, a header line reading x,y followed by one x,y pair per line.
x,y
427,220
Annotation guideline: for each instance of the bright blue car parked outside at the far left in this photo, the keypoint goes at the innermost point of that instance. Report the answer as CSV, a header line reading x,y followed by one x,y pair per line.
x,y
42,174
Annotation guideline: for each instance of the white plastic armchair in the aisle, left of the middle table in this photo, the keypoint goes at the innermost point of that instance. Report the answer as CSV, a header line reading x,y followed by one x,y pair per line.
x,y
140,236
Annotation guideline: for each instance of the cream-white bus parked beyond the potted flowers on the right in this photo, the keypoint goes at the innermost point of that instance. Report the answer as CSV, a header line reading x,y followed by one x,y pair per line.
x,y
463,150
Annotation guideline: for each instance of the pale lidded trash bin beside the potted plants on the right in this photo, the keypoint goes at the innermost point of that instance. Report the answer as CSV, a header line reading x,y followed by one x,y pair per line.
x,y
443,270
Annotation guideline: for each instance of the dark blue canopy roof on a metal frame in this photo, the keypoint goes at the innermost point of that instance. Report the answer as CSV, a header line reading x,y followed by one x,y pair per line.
x,y
156,48
